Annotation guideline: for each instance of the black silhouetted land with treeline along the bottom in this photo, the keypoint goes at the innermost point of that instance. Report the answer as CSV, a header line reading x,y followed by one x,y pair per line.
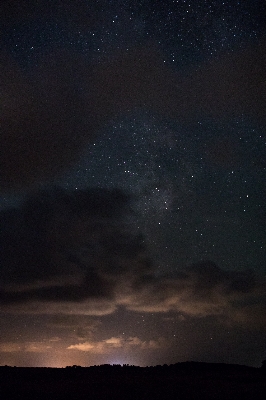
x,y
182,381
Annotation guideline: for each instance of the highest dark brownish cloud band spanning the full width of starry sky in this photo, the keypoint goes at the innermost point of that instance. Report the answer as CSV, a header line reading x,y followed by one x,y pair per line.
x,y
49,114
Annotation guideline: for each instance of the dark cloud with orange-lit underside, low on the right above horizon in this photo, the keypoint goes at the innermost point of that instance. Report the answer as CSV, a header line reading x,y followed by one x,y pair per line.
x,y
202,290
